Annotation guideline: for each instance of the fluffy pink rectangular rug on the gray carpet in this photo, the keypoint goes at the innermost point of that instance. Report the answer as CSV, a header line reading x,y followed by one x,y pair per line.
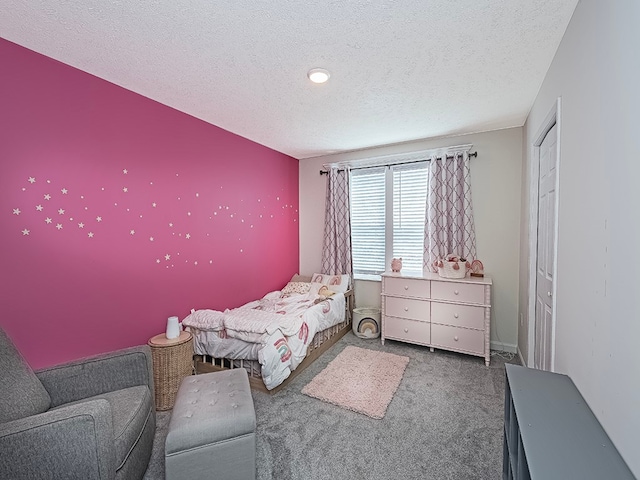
x,y
360,380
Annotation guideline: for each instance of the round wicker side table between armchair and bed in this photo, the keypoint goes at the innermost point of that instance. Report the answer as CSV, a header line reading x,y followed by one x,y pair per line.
x,y
172,361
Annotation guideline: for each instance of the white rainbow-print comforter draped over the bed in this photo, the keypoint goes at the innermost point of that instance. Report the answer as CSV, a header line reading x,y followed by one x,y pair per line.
x,y
275,331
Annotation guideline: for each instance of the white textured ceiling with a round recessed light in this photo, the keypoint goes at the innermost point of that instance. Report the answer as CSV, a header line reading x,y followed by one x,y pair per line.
x,y
400,70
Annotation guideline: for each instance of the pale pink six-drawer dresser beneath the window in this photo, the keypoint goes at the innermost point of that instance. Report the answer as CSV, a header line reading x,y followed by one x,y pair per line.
x,y
437,312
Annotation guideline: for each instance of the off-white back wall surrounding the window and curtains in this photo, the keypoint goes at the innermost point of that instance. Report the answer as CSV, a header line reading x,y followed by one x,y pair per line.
x,y
496,191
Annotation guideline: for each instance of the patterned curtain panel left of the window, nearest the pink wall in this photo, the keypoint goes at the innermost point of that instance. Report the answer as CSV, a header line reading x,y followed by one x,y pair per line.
x,y
336,252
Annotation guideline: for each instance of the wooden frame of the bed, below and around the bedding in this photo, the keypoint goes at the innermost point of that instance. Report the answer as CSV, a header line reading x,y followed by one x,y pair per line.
x,y
321,342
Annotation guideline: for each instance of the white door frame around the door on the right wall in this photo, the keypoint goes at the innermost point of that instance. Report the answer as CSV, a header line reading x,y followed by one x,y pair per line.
x,y
553,117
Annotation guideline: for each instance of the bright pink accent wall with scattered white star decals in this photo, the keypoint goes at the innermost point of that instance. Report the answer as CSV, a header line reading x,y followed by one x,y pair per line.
x,y
117,212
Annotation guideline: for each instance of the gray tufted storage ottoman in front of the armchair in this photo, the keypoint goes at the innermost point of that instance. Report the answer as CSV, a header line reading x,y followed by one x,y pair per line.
x,y
212,431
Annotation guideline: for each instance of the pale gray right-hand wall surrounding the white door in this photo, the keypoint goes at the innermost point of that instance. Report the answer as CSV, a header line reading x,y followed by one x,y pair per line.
x,y
596,72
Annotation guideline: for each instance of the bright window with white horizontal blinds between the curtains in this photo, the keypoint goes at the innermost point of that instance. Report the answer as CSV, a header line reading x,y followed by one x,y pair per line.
x,y
388,207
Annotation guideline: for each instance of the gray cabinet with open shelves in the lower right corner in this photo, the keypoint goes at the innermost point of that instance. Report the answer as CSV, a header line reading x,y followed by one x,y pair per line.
x,y
551,433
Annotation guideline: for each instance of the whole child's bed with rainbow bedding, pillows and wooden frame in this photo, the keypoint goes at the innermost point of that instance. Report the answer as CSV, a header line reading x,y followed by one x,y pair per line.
x,y
276,337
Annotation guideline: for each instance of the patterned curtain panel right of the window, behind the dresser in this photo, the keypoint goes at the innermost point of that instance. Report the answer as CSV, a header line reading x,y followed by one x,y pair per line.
x,y
449,225
